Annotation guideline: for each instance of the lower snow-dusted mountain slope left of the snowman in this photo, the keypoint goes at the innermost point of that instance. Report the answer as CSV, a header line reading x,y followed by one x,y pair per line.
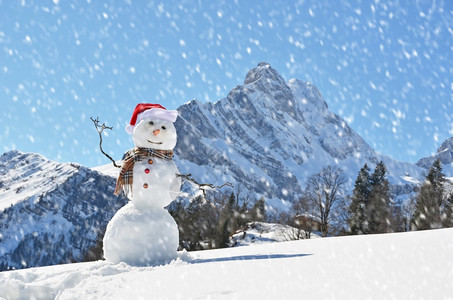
x,y
50,213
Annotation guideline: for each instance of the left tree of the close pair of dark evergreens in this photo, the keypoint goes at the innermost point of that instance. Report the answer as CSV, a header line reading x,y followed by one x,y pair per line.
x,y
360,194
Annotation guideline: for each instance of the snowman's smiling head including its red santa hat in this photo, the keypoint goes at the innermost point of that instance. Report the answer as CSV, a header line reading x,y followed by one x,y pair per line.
x,y
152,126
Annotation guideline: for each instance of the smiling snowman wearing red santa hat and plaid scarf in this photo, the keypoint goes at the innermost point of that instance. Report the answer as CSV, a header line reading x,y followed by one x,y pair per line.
x,y
142,232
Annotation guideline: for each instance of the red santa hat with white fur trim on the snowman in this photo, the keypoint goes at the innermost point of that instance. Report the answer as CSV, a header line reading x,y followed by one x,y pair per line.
x,y
152,111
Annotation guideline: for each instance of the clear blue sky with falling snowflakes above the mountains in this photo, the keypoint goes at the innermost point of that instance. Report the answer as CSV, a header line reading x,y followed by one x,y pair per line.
x,y
386,67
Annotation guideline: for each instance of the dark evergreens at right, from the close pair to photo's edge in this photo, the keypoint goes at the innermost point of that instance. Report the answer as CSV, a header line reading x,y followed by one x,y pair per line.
x,y
372,211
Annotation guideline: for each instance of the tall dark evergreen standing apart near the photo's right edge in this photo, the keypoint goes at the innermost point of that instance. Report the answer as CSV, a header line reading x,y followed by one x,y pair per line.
x,y
430,199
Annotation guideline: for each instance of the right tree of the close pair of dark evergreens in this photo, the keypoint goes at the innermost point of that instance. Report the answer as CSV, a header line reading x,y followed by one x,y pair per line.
x,y
377,208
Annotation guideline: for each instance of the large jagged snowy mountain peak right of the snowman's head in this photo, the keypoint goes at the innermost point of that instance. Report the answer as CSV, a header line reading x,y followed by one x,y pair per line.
x,y
267,136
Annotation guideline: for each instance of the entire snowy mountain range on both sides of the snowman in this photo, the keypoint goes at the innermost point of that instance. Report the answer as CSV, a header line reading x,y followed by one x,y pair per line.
x,y
266,137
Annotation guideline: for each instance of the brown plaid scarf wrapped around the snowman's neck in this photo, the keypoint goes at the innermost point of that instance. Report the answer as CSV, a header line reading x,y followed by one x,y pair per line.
x,y
125,178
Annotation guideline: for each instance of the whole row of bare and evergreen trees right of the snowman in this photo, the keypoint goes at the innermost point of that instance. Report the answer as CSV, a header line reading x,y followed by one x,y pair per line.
x,y
370,209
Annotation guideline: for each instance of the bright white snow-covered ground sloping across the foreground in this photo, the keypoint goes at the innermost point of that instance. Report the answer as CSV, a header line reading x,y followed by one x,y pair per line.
x,y
414,265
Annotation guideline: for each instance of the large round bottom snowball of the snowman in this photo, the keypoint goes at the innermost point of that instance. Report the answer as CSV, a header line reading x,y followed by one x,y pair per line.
x,y
144,237
